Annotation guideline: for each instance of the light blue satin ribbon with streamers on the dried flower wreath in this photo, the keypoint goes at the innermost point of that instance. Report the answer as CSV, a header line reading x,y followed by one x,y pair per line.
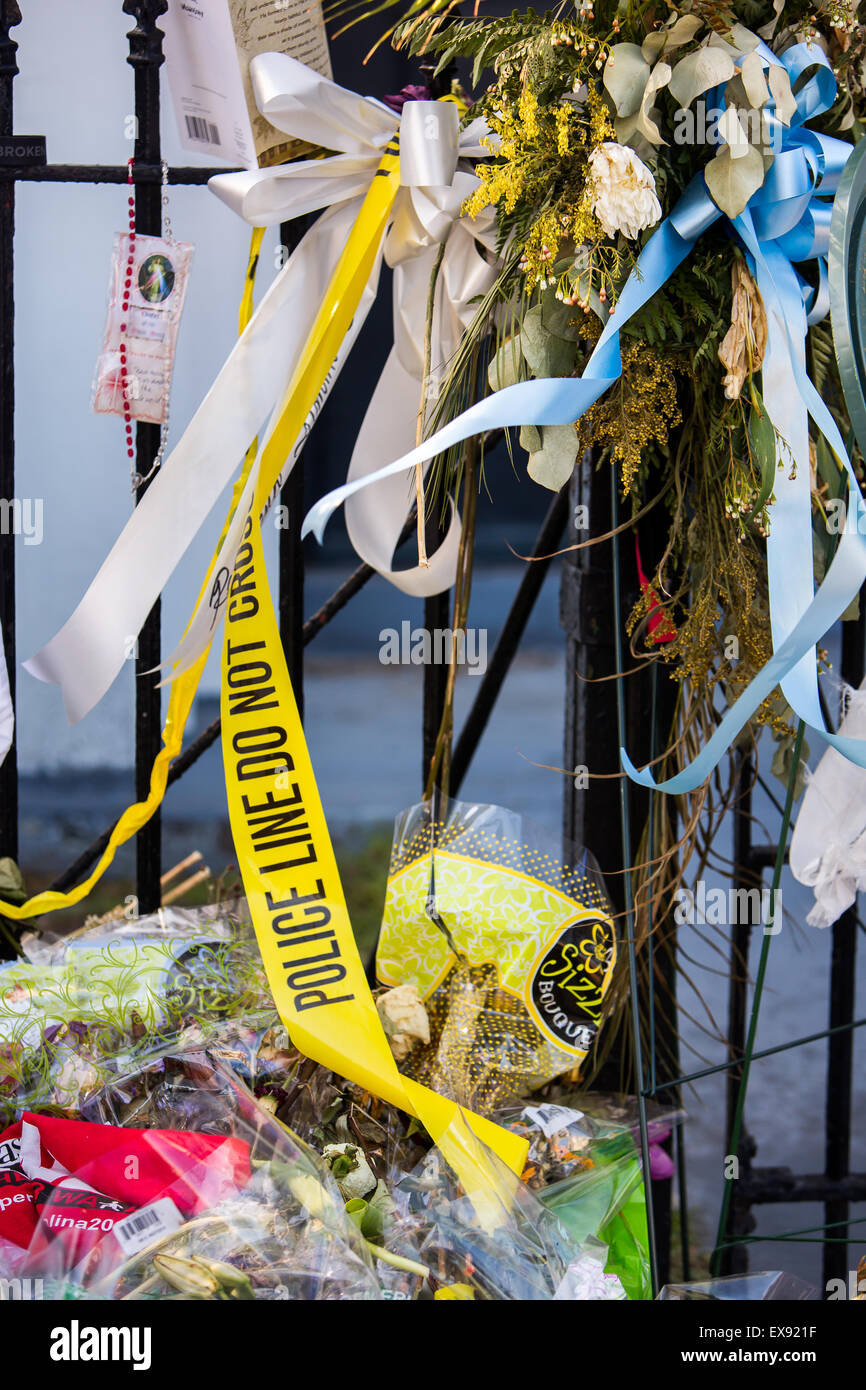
x,y
787,220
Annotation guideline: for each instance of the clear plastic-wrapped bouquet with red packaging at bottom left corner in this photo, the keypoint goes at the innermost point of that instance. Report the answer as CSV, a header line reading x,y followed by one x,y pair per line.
x,y
173,1182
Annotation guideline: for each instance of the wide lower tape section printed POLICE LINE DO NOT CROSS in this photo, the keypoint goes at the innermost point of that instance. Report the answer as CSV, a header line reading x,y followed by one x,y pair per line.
x,y
294,889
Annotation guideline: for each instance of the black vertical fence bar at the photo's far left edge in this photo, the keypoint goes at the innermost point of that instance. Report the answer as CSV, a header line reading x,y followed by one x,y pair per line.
x,y
10,16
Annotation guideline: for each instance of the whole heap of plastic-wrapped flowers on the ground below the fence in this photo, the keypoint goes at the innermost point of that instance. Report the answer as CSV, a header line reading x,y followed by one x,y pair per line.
x,y
179,1146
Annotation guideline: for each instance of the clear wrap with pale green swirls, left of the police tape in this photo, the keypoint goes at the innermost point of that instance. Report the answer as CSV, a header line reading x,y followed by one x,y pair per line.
x,y
85,1006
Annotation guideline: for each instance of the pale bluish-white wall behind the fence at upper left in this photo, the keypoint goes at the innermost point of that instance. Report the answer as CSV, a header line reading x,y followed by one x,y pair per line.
x,y
76,88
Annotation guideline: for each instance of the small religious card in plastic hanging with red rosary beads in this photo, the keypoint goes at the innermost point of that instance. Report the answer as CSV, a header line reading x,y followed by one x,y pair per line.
x,y
148,330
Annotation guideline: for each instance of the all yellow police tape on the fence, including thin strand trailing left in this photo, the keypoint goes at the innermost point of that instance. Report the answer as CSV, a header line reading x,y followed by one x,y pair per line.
x,y
280,831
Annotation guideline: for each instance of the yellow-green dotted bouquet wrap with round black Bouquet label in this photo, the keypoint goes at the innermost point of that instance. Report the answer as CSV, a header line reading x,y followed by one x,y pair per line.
x,y
511,950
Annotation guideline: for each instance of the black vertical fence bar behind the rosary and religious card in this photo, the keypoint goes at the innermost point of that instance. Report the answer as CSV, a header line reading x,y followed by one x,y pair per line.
x,y
147,58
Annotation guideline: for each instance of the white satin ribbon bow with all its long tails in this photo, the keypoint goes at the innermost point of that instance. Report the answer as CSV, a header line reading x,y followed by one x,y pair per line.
x,y
90,651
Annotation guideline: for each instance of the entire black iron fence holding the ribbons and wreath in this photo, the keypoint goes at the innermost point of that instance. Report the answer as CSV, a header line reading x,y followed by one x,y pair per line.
x,y
597,586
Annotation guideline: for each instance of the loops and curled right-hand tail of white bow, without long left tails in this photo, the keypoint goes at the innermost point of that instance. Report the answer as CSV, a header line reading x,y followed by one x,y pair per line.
x,y
426,216
